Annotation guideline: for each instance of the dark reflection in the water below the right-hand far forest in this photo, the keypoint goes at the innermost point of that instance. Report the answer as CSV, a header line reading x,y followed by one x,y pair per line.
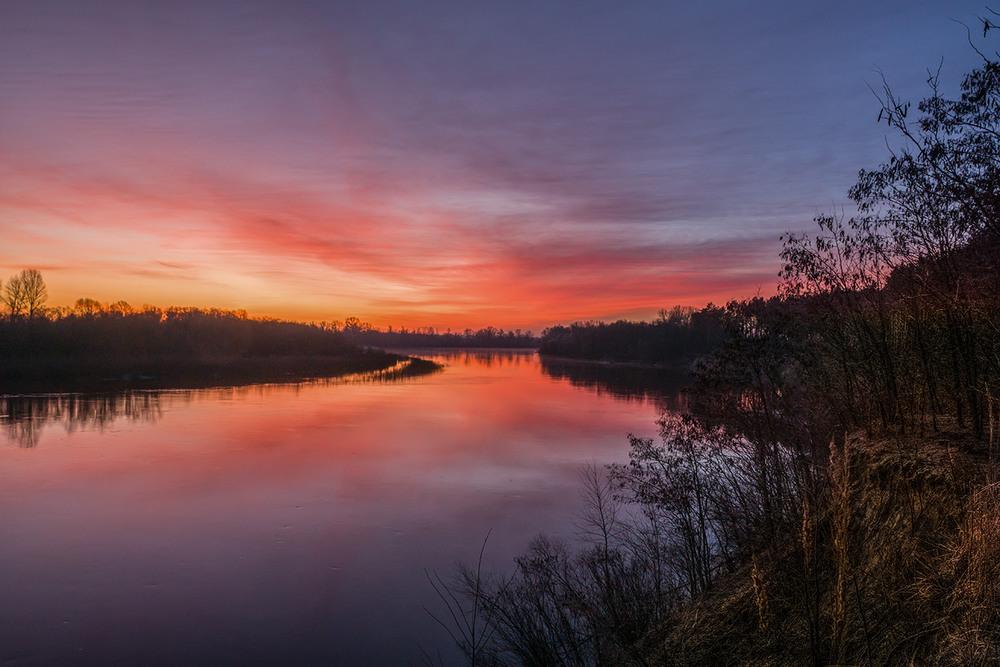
x,y
657,386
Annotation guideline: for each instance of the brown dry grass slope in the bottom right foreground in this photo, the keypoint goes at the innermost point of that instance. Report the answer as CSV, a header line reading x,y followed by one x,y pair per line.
x,y
906,571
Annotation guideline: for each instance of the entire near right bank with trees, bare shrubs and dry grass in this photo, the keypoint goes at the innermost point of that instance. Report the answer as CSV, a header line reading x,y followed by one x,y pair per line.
x,y
832,494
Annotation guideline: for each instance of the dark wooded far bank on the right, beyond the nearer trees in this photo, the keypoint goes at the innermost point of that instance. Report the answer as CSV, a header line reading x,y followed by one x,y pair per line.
x,y
677,338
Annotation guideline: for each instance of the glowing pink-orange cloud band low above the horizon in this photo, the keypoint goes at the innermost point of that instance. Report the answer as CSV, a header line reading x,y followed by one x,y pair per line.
x,y
445,267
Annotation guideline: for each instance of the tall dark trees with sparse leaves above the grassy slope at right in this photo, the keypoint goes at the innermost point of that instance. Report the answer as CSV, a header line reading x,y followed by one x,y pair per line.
x,y
905,293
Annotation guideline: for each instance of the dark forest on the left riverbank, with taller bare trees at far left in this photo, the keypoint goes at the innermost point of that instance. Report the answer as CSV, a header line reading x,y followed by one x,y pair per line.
x,y
97,346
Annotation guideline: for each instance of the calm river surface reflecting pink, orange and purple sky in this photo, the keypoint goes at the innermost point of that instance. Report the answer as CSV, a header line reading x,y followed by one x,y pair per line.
x,y
288,523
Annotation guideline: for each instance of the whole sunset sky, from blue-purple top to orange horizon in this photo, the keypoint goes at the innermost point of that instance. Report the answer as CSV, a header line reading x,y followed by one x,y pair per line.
x,y
449,164
